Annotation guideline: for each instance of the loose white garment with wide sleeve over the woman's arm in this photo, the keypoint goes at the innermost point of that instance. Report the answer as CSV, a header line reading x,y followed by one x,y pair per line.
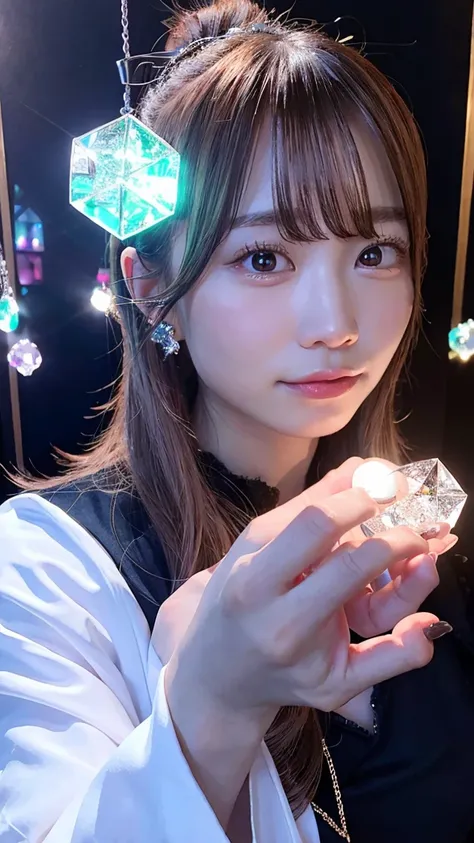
x,y
88,753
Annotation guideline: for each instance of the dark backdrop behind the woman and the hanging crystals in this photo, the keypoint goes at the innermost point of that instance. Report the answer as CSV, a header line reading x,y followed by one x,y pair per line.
x,y
58,80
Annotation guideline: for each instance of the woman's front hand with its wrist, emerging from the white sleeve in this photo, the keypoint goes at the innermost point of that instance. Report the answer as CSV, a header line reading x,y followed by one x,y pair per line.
x,y
255,636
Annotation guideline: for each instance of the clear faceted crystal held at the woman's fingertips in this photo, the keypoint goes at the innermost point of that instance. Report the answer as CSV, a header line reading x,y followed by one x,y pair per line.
x,y
433,496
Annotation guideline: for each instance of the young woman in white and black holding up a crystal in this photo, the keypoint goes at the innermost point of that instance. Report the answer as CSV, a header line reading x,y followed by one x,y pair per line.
x,y
269,699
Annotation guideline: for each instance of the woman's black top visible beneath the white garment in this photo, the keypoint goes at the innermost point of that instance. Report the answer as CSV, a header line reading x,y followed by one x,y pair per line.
x,y
409,782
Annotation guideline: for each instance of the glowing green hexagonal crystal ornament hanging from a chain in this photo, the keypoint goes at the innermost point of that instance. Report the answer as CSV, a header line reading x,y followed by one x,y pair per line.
x,y
124,177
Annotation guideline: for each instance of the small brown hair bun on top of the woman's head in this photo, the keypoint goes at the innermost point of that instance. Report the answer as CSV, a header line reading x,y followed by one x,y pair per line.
x,y
210,20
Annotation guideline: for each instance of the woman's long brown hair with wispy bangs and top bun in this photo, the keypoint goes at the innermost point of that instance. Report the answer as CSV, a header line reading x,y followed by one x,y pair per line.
x,y
211,109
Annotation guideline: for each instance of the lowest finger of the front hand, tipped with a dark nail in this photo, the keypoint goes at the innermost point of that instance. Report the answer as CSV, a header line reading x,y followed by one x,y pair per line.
x,y
378,659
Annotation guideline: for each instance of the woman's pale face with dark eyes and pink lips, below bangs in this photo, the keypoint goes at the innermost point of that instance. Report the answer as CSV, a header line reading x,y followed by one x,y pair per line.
x,y
294,337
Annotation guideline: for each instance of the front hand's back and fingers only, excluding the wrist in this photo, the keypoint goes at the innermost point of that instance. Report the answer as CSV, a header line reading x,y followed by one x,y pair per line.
x,y
258,641
